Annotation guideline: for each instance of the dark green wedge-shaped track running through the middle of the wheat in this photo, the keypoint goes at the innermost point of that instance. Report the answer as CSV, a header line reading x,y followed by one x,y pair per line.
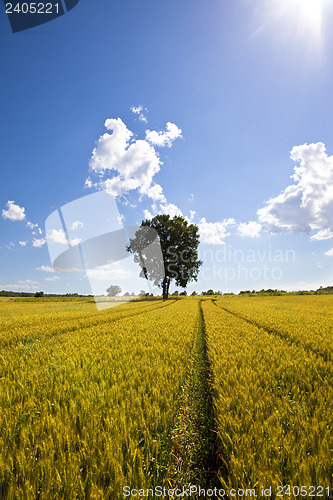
x,y
194,459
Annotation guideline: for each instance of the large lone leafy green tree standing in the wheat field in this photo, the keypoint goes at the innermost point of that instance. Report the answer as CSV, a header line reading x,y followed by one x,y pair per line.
x,y
179,242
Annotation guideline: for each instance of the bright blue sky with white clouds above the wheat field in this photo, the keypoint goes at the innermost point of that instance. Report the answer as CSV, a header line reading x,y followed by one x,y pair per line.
x,y
241,83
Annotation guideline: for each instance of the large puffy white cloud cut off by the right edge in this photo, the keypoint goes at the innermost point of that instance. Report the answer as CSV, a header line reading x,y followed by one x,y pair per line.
x,y
307,204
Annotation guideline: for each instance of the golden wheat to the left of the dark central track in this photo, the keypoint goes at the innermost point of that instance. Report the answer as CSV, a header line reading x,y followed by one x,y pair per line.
x,y
88,399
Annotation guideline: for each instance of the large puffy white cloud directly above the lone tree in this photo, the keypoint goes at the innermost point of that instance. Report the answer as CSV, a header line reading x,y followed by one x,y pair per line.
x,y
124,164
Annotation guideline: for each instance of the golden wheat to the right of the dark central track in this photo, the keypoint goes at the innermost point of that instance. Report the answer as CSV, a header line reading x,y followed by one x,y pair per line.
x,y
274,405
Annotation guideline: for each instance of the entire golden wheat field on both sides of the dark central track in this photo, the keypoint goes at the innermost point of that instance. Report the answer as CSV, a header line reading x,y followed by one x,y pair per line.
x,y
89,400
